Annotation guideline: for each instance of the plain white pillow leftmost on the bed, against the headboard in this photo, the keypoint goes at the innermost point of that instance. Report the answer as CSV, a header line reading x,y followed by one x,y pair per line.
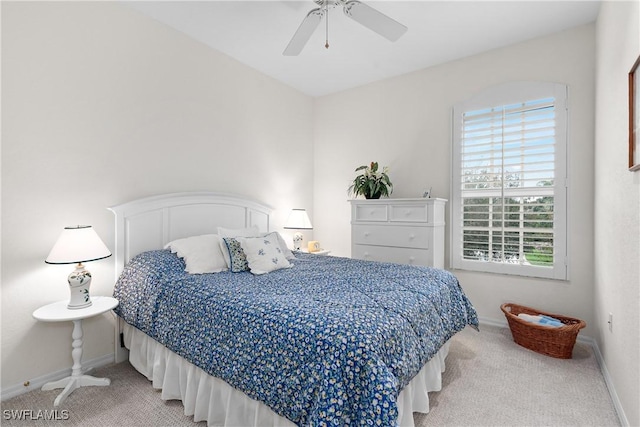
x,y
201,254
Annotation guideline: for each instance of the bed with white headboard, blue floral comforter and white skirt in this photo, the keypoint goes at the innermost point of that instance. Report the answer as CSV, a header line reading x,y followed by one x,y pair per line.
x,y
318,340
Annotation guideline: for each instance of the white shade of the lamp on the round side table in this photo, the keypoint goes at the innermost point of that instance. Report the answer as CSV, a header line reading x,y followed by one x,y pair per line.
x,y
77,244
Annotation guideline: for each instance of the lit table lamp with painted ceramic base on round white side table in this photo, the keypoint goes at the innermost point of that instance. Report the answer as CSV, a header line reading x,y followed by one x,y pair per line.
x,y
76,245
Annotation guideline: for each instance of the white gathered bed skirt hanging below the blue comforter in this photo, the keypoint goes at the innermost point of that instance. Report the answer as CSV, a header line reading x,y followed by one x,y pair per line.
x,y
211,399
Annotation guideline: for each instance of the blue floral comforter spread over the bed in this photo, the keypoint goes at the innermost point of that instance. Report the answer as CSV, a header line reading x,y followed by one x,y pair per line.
x,y
331,341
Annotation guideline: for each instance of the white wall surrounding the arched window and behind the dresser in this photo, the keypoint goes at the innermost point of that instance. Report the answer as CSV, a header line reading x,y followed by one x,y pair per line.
x,y
405,123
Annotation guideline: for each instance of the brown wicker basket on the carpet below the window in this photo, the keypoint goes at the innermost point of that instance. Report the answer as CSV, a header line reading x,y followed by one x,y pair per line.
x,y
555,342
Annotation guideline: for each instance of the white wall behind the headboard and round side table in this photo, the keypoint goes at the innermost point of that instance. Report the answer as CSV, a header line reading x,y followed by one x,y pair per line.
x,y
102,105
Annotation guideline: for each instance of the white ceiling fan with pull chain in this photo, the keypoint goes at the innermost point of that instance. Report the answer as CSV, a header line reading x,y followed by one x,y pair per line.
x,y
358,11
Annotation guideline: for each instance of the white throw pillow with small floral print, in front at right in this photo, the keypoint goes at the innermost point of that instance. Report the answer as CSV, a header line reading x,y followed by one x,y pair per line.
x,y
263,253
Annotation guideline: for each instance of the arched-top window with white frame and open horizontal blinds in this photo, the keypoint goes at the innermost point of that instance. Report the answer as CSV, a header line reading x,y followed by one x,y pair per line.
x,y
509,183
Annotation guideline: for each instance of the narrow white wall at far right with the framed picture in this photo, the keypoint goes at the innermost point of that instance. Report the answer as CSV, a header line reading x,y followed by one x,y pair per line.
x,y
617,208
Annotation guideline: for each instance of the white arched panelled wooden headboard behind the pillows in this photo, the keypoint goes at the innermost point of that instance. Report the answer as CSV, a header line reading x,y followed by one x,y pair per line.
x,y
152,222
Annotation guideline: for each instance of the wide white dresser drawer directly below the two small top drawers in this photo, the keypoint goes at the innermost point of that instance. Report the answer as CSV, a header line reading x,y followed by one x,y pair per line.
x,y
398,236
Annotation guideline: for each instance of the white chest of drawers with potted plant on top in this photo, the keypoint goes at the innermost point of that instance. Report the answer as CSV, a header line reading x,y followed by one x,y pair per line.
x,y
405,231
